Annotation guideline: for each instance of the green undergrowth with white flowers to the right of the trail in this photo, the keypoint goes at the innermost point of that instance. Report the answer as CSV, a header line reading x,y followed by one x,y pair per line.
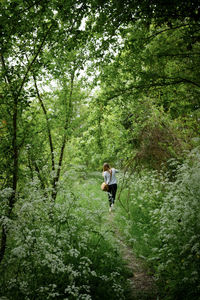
x,y
160,219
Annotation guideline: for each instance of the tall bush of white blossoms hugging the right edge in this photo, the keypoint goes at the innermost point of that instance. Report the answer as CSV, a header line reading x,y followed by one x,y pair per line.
x,y
179,234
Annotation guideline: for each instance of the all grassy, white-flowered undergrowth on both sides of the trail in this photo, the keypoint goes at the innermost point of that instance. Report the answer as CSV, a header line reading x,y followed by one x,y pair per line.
x,y
67,250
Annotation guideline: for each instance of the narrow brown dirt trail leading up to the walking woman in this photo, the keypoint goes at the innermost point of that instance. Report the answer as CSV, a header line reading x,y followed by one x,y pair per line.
x,y
142,284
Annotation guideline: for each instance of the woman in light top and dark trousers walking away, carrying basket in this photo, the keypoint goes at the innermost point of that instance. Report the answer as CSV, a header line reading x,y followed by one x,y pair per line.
x,y
110,179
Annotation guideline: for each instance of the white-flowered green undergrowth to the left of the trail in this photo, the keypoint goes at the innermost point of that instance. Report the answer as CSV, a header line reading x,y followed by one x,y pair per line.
x,y
62,251
